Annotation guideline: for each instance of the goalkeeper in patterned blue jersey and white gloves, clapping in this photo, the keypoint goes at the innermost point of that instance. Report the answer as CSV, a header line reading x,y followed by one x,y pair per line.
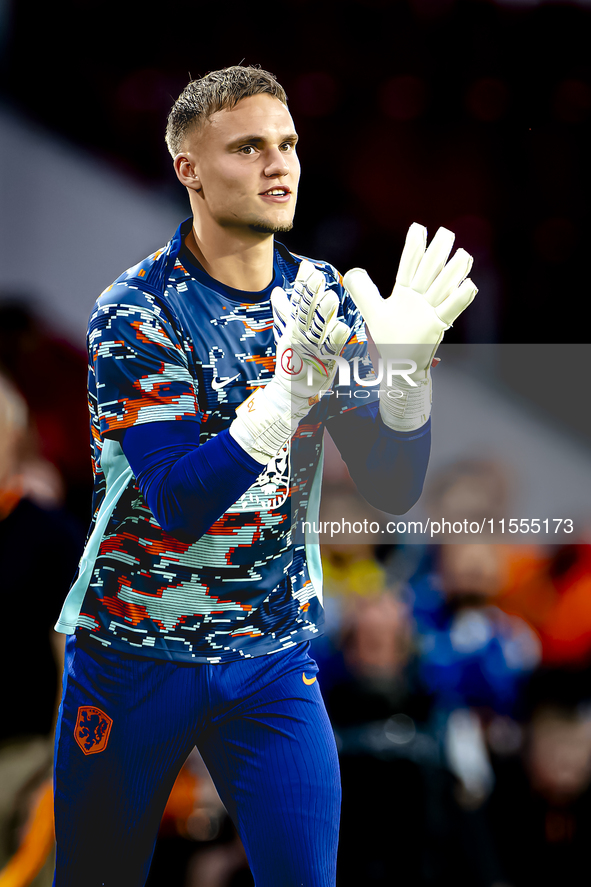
x,y
190,617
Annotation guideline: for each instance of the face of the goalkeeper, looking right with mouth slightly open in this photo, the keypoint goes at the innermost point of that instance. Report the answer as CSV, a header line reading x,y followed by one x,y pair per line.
x,y
247,167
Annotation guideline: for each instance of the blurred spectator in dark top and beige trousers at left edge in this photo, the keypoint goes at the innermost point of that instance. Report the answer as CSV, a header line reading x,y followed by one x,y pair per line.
x,y
32,536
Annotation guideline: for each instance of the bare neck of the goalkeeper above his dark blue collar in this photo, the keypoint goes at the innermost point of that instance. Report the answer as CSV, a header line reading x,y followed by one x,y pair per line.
x,y
242,265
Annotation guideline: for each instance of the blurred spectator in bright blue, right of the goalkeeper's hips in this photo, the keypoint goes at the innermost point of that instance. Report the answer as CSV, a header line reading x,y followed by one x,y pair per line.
x,y
474,659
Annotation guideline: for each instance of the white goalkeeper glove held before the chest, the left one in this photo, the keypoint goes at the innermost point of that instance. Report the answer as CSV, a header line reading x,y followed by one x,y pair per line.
x,y
309,338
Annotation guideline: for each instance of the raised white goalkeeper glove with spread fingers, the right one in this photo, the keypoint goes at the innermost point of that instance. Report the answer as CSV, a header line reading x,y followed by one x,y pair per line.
x,y
429,294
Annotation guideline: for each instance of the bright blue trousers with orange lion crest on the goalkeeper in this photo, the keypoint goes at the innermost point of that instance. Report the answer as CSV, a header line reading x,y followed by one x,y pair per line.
x,y
126,726
